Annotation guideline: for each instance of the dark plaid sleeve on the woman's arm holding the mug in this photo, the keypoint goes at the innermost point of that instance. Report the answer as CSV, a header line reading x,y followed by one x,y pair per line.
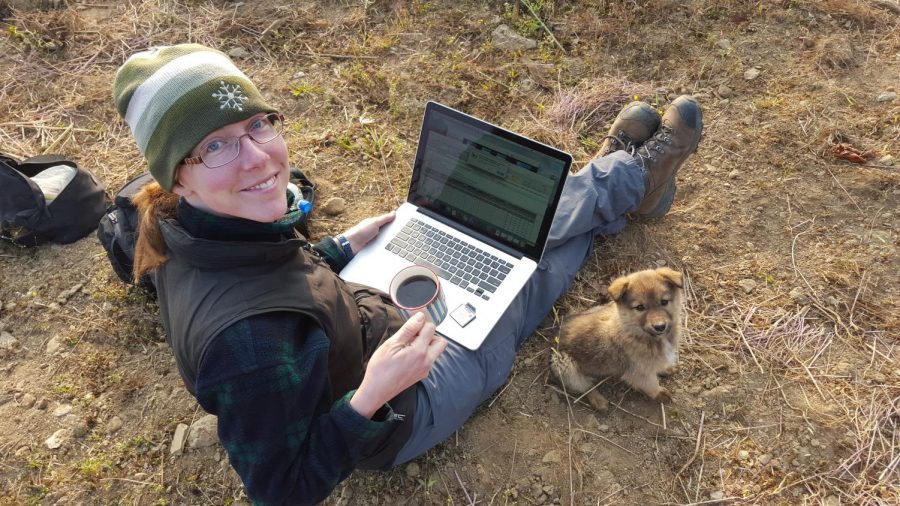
x,y
284,436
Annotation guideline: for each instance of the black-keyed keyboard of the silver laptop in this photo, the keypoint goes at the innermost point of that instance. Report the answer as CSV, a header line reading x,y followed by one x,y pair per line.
x,y
462,264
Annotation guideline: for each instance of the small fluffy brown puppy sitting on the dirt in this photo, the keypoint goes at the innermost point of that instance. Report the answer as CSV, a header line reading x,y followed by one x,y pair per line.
x,y
634,337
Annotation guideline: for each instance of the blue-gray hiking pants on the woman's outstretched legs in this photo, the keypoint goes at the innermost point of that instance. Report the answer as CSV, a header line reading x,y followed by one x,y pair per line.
x,y
594,202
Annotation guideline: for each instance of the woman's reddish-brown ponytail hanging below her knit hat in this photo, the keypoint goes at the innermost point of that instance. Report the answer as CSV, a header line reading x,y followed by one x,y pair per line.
x,y
152,203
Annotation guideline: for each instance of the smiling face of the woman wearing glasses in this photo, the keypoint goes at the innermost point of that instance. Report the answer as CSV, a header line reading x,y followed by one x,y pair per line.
x,y
252,186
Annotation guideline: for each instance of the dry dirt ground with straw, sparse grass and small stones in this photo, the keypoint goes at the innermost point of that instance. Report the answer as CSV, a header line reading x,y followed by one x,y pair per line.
x,y
788,390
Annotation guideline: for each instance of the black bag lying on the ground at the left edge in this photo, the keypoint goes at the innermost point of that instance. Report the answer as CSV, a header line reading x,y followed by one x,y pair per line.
x,y
26,216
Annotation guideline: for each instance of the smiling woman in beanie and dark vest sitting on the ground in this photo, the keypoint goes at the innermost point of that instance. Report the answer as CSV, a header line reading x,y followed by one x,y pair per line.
x,y
311,377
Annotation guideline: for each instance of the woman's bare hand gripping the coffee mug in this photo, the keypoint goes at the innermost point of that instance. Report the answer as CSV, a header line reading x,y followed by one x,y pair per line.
x,y
402,360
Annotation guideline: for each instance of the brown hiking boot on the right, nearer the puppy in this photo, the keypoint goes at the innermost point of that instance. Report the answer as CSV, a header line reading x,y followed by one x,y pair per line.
x,y
665,152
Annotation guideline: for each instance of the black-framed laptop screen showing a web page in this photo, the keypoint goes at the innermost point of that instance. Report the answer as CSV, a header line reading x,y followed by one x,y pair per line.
x,y
496,182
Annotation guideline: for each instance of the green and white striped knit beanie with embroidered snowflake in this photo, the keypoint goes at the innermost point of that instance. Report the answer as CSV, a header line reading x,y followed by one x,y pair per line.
x,y
174,96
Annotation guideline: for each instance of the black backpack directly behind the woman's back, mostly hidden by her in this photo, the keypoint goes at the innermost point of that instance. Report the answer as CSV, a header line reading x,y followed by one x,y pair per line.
x,y
118,232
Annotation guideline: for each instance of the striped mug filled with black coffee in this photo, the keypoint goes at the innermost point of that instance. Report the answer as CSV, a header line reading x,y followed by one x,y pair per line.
x,y
417,289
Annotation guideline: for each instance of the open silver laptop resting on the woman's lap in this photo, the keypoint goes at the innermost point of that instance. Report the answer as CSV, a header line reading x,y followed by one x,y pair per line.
x,y
480,204
